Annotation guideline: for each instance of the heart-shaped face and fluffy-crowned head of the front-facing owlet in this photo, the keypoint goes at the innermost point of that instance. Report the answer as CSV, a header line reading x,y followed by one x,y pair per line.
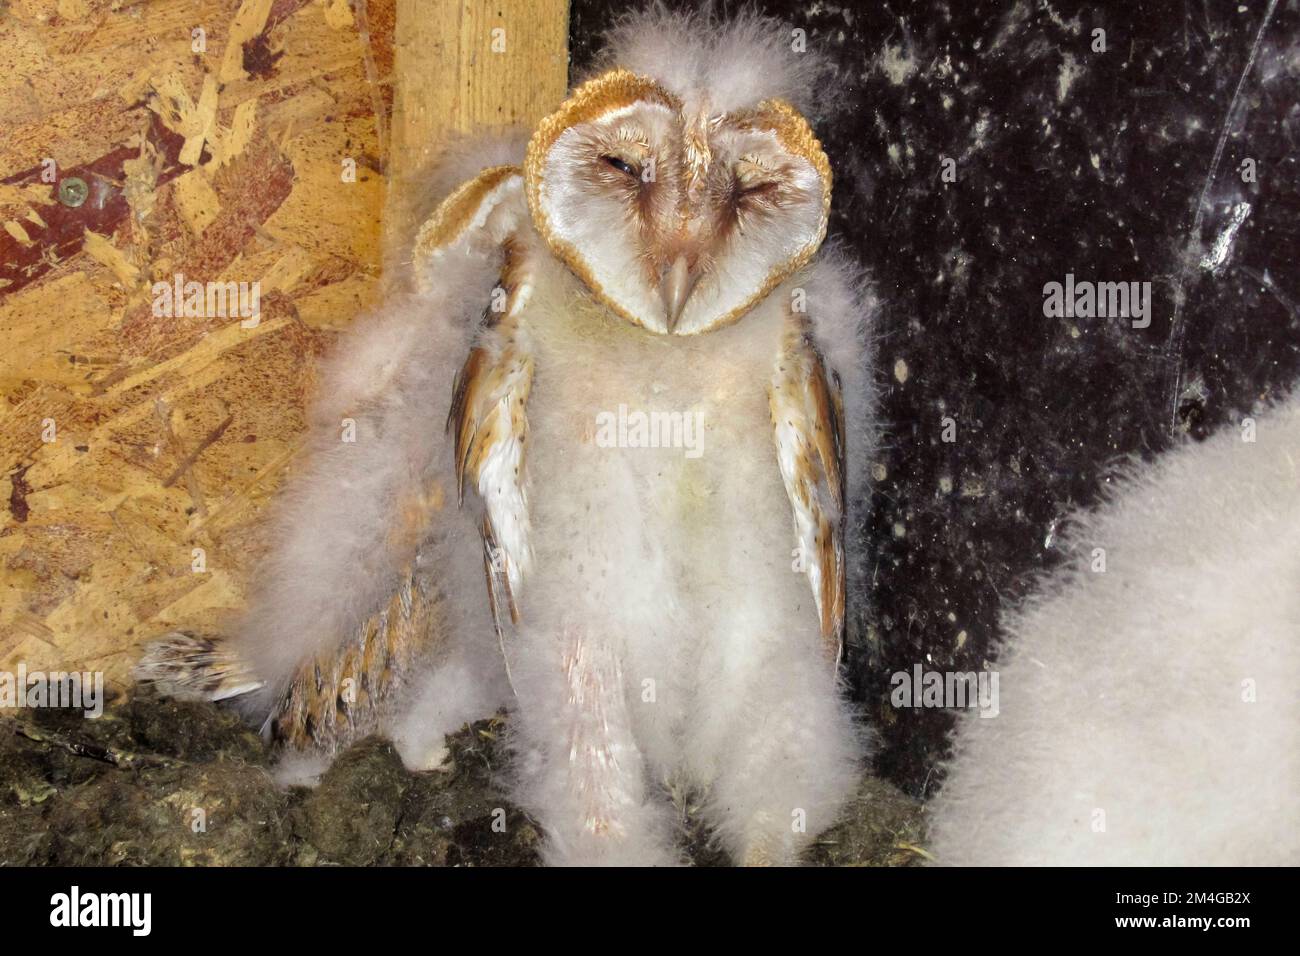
x,y
683,185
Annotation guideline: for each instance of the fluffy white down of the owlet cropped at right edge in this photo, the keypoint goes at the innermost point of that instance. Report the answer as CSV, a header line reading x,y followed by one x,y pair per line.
x,y
1160,697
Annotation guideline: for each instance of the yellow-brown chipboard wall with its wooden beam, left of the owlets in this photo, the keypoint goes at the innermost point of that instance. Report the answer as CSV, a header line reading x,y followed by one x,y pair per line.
x,y
138,452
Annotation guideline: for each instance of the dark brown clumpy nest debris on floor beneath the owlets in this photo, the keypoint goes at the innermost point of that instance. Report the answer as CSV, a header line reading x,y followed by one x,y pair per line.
x,y
171,784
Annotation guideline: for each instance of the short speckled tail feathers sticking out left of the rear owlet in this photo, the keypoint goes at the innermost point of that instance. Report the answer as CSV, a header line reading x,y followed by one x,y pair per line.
x,y
196,668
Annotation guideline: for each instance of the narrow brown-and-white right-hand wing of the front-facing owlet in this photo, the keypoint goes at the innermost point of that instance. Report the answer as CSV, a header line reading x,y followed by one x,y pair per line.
x,y
808,417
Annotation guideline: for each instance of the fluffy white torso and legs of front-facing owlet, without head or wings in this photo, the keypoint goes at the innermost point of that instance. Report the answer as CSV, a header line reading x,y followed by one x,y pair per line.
x,y
666,633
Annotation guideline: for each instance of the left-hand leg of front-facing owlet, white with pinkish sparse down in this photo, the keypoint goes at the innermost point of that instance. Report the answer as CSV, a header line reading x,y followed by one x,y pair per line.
x,y
582,773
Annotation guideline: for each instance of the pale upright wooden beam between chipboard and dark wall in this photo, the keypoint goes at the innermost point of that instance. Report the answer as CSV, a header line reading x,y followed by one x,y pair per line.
x,y
466,66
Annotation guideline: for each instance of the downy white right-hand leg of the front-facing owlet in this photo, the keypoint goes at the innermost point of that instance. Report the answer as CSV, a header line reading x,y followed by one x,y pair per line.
x,y
774,745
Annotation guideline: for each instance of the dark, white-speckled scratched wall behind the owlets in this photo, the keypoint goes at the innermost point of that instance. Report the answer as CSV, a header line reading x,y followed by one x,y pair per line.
x,y
1117,166
